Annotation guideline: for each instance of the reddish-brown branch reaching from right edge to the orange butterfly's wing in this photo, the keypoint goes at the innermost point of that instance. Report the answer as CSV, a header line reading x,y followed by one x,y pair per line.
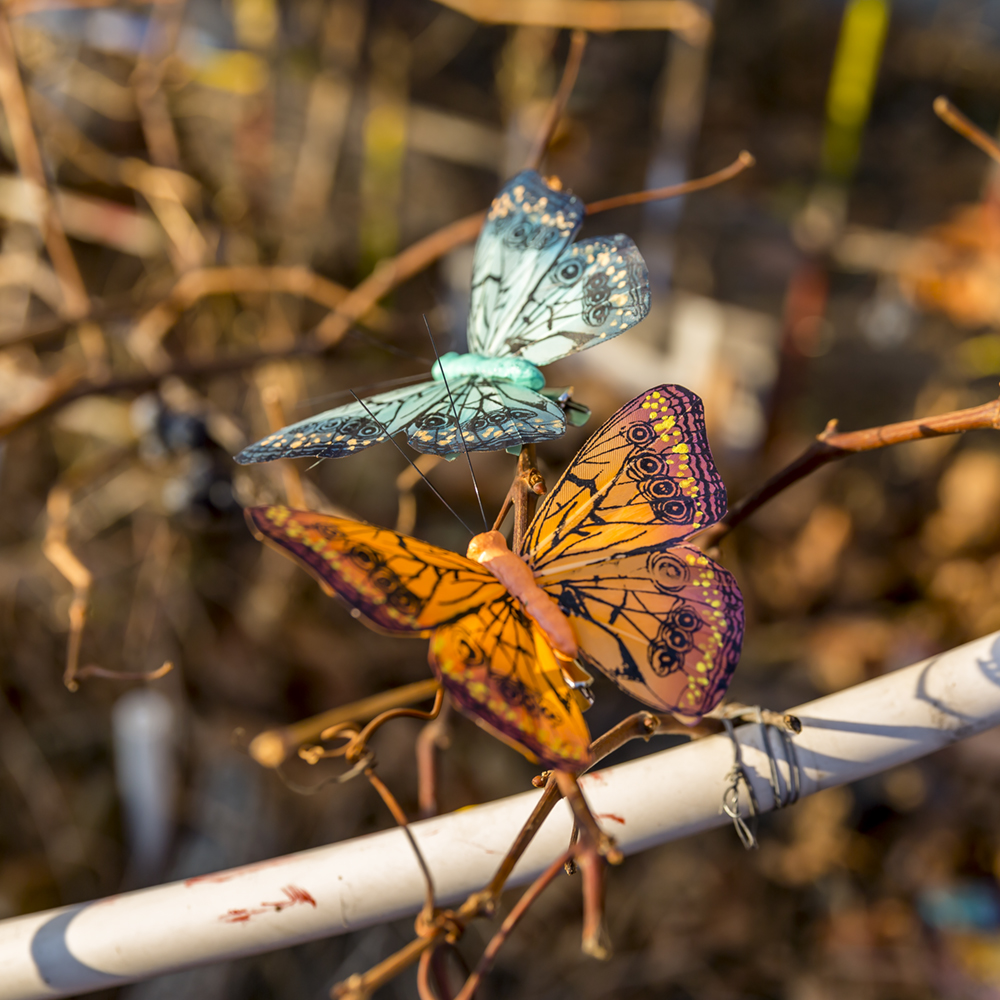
x,y
832,444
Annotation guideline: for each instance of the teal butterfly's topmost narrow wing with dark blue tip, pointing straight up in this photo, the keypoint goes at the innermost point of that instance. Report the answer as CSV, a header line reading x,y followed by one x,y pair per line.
x,y
527,227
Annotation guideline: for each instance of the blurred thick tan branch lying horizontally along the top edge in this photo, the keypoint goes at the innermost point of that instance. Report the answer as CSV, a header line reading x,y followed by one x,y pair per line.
x,y
686,18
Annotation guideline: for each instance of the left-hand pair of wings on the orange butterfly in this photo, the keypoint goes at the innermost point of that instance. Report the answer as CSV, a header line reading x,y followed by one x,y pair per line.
x,y
489,655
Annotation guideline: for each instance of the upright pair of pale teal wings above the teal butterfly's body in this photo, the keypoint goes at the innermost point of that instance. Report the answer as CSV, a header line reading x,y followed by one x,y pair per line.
x,y
535,293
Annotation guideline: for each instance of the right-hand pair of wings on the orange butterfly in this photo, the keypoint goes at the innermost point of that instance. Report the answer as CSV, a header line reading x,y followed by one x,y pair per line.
x,y
658,617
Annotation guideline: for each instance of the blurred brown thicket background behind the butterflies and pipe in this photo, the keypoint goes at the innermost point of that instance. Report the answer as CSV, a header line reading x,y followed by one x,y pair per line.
x,y
185,186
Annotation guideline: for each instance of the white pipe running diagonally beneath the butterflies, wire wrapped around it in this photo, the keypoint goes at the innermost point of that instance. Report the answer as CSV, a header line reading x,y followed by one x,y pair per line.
x,y
357,883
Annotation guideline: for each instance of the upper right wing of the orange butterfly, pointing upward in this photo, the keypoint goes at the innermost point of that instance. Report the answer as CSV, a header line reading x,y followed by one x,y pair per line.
x,y
645,480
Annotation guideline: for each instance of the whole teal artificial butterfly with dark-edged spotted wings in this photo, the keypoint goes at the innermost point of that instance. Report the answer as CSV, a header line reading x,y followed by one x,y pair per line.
x,y
536,297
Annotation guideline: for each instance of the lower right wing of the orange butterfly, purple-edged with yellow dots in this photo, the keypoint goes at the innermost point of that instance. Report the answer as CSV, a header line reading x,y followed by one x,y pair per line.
x,y
666,626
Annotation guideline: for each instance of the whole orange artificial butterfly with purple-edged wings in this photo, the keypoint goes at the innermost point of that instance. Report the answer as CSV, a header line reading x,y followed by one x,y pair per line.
x,y
606,548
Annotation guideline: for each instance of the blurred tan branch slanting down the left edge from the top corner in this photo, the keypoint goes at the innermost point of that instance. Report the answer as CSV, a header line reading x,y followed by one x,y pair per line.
x,y
29,162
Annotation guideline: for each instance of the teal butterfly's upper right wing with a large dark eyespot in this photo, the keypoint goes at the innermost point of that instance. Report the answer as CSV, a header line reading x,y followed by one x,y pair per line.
x,y
594,291
